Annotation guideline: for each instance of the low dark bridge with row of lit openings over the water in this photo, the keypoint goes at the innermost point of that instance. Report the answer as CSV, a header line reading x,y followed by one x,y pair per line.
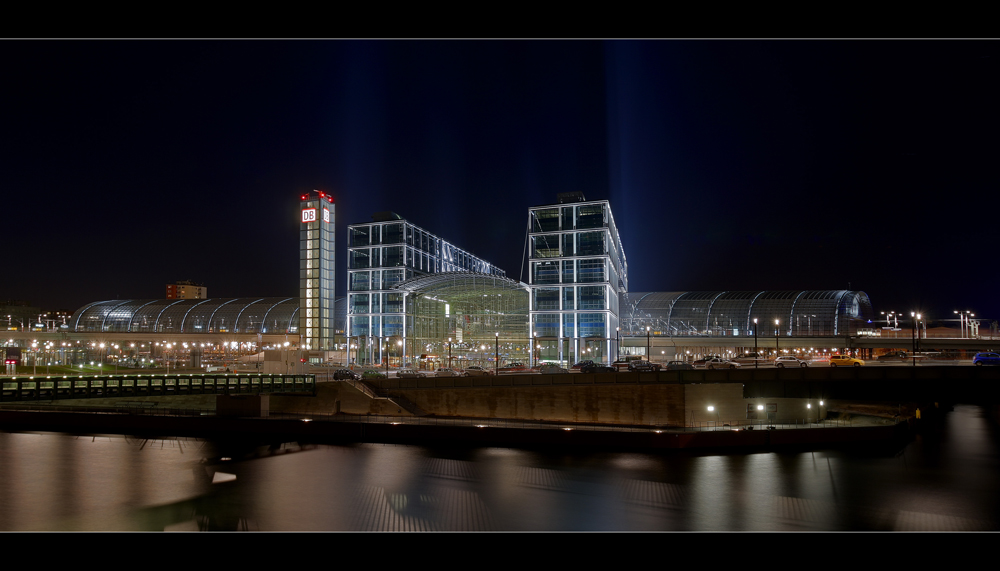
x,y
37,388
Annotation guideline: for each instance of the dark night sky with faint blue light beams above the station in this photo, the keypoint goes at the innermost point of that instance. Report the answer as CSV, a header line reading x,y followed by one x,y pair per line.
x,y
734,165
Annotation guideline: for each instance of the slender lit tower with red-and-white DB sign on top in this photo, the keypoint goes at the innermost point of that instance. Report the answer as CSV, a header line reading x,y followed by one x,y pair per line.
x,y
316,271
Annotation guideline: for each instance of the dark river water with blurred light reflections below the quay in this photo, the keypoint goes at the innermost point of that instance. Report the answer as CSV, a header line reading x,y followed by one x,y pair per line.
x,y
946,479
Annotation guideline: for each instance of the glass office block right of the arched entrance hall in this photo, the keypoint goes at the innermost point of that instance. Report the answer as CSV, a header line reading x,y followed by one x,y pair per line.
x,y
577,272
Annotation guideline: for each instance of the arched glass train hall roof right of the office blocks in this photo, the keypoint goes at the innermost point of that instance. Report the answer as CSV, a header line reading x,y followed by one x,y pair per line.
x,y
725,313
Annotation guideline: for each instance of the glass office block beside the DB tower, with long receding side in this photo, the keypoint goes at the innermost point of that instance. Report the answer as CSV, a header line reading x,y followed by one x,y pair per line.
x,y
382,255
